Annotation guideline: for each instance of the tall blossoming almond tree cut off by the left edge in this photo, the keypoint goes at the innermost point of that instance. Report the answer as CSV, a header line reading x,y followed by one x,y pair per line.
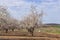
x,y
4,15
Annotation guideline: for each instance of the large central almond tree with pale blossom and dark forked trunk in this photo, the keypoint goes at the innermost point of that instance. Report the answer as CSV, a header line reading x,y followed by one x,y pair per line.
x,y
31,21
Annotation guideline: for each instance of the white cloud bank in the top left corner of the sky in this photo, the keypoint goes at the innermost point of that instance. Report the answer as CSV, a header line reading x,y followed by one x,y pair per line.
x,y
11,2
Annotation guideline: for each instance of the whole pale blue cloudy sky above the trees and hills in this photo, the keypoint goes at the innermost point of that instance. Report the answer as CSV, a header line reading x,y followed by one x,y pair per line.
x,y
19,8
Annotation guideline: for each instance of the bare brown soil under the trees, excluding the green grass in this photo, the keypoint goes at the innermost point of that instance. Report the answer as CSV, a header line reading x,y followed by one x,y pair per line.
x,y
16,35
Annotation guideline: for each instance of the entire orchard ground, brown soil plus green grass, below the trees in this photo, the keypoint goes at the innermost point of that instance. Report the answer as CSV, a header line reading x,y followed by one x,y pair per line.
x,y
43,33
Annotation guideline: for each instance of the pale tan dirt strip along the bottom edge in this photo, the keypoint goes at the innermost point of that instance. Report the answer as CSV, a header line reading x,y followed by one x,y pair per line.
x,y
26,38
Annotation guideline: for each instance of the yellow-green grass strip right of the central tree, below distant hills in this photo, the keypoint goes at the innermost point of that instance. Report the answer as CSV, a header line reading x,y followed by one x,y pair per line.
x,y
53,29
